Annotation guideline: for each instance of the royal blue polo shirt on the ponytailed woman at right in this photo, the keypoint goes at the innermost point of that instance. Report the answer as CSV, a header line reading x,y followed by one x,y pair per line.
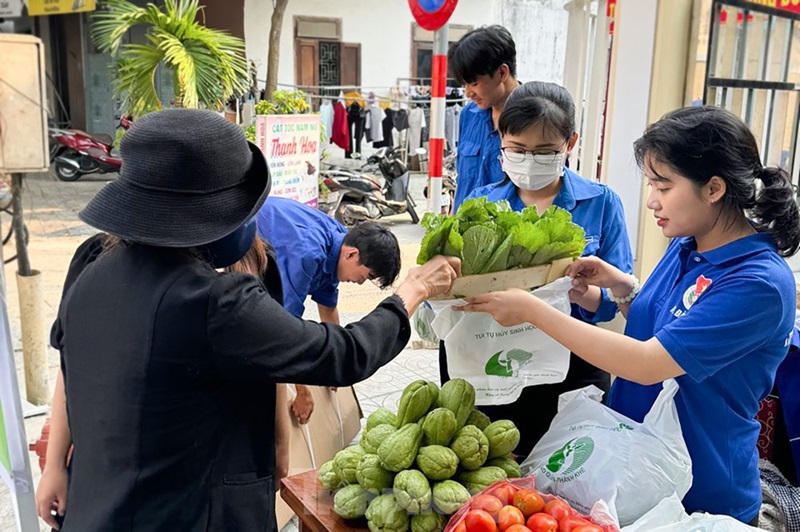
x,y
725,316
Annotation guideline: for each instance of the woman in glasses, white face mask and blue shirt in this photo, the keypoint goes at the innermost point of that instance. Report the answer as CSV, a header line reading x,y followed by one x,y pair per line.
x,y
537,130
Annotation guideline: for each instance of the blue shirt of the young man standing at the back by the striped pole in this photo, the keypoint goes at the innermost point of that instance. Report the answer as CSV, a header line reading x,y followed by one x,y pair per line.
x,y
478,161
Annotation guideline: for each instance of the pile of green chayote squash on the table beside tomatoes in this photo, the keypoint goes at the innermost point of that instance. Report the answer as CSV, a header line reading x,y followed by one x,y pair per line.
x,y
413,469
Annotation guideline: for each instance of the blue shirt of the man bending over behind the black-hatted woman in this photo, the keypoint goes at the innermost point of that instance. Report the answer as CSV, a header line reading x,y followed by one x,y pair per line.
x,y
307,245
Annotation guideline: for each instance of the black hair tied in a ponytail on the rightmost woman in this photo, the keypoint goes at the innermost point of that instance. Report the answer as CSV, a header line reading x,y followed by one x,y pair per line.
x,y
702,142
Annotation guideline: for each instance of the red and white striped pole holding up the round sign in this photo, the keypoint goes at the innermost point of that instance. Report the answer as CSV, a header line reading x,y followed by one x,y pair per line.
x,y
436,144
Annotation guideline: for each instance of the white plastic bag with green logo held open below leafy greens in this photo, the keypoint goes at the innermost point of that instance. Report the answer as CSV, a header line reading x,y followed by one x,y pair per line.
x,y
500,361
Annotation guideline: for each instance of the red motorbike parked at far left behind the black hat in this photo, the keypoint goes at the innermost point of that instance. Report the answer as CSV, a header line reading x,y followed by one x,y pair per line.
x,y
76,152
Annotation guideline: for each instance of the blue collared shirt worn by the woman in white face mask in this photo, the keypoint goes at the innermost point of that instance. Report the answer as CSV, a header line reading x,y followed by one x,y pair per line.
x,y
597,209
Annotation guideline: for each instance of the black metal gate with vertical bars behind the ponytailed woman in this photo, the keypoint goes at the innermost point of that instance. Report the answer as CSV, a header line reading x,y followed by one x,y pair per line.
x,y
753,70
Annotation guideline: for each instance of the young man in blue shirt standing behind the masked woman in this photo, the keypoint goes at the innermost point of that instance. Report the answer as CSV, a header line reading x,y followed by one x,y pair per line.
x,y
485,62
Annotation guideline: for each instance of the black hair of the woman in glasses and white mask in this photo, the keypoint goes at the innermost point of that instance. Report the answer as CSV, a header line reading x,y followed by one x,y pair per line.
x,y
537,103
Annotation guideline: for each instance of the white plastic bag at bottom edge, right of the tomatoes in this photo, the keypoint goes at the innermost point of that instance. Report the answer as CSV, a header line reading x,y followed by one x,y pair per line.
x,y
669,516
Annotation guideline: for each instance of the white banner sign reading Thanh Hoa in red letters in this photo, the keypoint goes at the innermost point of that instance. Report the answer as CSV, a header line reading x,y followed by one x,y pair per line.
x,y
292,147
